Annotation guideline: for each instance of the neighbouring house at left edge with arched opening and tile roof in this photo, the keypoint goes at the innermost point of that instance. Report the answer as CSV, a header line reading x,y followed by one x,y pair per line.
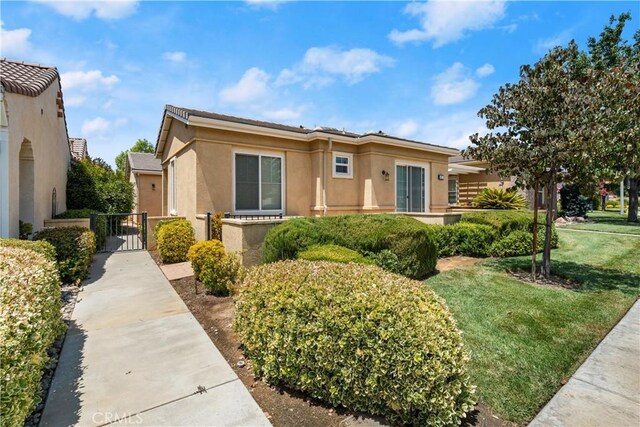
x,y
34,146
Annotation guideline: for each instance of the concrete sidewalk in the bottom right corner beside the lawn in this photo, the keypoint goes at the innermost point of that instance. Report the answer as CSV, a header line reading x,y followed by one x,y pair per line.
x,y
605,390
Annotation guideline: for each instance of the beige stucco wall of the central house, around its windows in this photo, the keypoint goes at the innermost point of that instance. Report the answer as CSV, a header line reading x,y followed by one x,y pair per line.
x,y
205,161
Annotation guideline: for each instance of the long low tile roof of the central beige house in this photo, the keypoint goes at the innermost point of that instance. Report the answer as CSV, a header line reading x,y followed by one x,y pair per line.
x,y
186,113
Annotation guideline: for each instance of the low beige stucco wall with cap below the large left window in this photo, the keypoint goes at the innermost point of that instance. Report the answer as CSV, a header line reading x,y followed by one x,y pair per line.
x,y
246,237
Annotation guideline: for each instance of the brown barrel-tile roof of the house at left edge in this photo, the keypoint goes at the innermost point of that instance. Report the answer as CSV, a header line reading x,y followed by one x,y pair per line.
x,y
26,79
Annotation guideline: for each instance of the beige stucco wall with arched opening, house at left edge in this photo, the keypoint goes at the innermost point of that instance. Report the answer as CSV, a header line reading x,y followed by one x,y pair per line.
x,y
35,119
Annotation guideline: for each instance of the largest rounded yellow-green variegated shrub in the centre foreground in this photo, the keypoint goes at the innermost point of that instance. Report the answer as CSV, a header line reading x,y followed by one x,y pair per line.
x,y
357,336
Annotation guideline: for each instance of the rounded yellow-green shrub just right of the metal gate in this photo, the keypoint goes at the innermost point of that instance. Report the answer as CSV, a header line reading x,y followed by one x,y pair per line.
x,y
174,240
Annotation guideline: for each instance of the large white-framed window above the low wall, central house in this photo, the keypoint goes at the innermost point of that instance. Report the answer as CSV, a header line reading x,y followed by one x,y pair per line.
x,y
258,182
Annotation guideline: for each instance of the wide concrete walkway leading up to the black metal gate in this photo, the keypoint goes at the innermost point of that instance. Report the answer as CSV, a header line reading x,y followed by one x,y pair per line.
x,y
134,354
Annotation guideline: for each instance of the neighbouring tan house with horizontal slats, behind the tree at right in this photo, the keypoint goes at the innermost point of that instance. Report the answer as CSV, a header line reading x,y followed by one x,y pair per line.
x,y
467,177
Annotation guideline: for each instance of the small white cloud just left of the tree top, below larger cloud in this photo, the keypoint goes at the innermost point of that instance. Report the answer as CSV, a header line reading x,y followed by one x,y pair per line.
x,y
453,86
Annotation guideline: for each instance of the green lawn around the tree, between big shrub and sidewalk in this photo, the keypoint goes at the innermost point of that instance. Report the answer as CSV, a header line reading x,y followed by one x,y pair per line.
x,y
524,338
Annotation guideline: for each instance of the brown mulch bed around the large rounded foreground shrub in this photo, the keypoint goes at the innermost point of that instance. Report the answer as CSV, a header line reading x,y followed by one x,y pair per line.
x,y
283,407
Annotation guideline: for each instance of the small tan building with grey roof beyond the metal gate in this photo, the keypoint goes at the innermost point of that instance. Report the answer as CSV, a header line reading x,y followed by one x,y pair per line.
x,y
145,173
